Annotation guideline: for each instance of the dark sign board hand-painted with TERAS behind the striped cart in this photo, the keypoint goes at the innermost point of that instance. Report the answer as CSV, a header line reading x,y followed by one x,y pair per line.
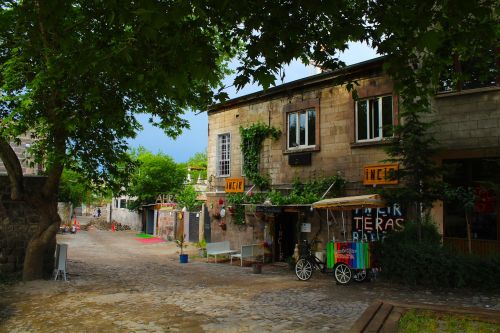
x,y
369,224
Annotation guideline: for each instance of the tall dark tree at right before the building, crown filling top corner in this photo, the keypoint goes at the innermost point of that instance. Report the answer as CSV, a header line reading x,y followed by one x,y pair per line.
x,y
422,40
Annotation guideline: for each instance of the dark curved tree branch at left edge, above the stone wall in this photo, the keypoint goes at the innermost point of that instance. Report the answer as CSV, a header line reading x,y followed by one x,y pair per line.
x,y
14,169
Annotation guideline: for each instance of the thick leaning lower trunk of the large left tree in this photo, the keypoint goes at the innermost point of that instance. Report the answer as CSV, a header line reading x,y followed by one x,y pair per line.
x,y
39,259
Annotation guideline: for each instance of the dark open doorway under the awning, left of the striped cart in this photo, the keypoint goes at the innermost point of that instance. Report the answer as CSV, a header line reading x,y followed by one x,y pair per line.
x,y
285,236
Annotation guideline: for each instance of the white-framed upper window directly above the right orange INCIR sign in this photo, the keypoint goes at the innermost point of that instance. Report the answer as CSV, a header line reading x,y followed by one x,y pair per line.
x,y
374,119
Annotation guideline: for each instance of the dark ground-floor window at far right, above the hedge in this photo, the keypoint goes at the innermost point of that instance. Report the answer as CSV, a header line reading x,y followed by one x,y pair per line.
x,y
482,176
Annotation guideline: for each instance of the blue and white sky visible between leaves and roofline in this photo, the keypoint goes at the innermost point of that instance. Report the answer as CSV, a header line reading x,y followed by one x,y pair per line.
x,y
194,140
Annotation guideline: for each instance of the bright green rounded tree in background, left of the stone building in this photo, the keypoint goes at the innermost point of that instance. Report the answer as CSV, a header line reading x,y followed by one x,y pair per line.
x,y
155,174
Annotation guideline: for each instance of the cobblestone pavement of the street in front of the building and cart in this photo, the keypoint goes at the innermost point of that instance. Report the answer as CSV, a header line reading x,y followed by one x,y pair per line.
x,y
120,285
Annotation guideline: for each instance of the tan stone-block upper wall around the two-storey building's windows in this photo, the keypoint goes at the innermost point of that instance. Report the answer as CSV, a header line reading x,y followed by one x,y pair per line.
x,y
337,151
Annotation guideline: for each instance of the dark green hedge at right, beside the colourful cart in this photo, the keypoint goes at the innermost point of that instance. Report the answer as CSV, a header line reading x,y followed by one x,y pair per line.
x,y
406,260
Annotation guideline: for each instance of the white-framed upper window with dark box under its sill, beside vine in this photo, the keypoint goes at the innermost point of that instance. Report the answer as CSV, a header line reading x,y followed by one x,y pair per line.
x,y
301,129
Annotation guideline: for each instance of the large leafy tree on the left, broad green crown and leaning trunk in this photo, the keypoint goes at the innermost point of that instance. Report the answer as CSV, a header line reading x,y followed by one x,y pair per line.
x,y
75,73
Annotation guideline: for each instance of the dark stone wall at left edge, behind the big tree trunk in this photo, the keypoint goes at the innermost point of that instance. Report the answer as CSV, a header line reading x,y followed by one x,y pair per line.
x,y
18,222
